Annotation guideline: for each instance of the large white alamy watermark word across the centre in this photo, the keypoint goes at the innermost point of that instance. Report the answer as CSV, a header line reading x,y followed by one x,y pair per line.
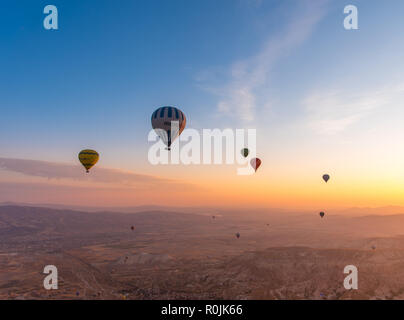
x,y
213,146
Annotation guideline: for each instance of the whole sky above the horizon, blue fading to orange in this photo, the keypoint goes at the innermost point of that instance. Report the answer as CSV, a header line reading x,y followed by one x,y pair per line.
x,y
322,99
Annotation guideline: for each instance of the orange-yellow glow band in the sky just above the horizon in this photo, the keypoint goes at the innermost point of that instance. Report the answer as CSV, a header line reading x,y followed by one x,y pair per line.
x,y
259,190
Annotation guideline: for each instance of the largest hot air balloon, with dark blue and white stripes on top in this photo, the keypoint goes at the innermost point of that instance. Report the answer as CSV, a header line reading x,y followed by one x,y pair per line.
x,y
168,122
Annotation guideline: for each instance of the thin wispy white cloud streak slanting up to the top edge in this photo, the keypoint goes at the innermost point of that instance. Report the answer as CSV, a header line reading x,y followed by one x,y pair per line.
x,y
241,94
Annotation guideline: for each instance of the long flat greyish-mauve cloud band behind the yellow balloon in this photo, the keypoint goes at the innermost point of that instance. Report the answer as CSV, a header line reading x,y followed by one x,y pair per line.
x,y
52,170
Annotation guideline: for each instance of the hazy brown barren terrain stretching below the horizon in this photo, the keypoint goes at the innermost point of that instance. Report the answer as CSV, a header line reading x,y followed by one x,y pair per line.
x,y
191,255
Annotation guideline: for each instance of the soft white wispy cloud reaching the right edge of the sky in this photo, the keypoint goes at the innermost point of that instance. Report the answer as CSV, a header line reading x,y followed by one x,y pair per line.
x,y
332,111
